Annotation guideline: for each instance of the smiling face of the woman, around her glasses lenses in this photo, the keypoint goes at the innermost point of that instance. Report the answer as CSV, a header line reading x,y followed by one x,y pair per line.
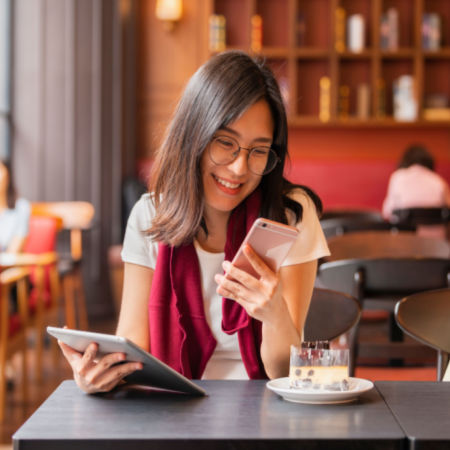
x,y
227,186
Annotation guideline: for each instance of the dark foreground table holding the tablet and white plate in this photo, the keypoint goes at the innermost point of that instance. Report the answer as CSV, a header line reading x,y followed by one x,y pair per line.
x,y
236,414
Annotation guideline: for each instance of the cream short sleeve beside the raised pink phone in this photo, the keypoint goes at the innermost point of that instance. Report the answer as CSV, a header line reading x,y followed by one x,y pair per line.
x,y
311,243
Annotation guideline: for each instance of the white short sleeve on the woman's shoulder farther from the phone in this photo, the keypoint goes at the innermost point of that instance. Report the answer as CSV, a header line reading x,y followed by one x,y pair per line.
x,y
138,246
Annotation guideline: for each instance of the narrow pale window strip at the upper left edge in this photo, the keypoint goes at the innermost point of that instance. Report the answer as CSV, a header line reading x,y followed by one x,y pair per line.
x,y
5,78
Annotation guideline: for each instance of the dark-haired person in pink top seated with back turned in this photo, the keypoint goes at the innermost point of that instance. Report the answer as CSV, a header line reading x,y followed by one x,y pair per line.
x,y
415,184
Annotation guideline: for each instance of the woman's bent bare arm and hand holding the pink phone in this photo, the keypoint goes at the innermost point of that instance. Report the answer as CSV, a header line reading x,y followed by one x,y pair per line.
x,y
280,301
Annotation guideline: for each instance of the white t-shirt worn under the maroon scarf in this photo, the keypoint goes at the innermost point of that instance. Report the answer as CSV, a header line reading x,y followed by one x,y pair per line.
x,y
139,248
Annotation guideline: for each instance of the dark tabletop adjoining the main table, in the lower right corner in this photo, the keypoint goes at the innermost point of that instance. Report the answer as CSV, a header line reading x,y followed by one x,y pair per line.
x,y
422,409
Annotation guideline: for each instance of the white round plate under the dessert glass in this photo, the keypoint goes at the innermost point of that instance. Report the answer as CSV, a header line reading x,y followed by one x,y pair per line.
x,y
357,387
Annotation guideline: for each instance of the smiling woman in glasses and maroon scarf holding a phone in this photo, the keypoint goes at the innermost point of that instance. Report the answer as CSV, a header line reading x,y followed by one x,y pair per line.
x,y
219,167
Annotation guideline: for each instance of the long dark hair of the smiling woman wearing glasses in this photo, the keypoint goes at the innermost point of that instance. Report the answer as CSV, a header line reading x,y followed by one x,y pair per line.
x,y
216,95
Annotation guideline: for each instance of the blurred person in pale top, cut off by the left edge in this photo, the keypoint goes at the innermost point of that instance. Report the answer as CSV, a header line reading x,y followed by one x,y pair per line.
x,y
14,213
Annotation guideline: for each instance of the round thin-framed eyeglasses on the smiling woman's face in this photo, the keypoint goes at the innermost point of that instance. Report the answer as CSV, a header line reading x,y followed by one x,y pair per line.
x,y
224,150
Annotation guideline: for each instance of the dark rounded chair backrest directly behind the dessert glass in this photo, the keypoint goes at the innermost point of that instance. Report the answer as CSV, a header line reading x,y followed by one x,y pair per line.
x,y
330,314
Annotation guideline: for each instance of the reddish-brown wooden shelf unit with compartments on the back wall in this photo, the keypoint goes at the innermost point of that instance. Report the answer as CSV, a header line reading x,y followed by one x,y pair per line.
x,y
299,41
